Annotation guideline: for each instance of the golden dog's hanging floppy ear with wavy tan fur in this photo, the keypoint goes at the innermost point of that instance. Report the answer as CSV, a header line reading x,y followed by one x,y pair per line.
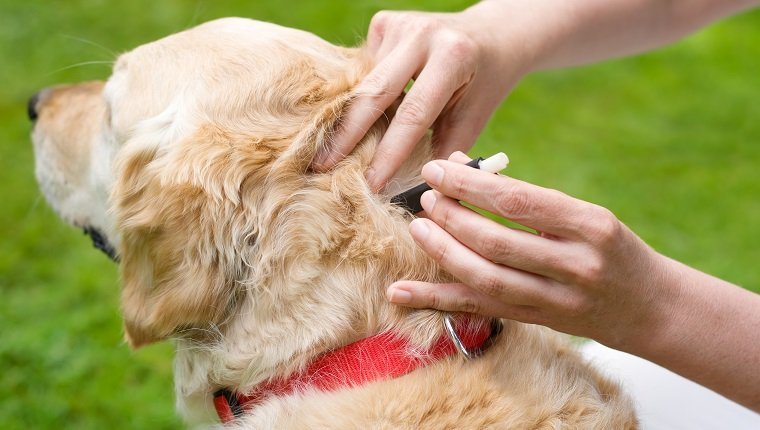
x,y
183,226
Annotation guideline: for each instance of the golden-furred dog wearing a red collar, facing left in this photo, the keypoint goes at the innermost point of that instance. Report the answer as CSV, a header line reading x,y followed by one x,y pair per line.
x,y
190,166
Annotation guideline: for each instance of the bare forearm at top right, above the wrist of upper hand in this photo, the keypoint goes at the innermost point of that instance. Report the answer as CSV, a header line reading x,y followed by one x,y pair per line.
x,y
561,33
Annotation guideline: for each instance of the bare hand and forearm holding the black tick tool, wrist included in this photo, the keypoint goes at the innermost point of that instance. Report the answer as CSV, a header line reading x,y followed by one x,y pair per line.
x,y
585,274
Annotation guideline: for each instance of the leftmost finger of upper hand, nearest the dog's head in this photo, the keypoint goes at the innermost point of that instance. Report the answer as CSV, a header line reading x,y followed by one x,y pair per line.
x,y
377,91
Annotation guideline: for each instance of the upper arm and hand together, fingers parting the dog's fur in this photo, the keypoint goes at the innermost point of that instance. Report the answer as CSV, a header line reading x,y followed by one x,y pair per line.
x,y
464,64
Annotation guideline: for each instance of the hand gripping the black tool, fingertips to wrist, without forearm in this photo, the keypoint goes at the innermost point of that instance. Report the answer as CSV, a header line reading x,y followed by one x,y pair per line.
x,y
584,273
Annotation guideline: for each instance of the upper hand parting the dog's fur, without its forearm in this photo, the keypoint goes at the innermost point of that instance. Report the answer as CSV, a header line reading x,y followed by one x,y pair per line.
x,y
460,76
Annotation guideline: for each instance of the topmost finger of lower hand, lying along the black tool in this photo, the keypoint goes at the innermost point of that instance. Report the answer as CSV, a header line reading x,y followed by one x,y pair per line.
x,y
536,207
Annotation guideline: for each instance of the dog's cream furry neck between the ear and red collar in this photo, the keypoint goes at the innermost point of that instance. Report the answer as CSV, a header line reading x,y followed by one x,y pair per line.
x,y
319,282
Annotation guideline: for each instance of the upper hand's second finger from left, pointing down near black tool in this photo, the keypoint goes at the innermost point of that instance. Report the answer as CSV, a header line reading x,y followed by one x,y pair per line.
x,y
421,106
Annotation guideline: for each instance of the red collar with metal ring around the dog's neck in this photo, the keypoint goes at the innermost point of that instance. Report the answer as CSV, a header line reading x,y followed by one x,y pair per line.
x,y
378,357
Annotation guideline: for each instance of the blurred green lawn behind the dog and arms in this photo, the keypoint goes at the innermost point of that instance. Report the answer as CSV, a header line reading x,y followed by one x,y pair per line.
x,y
668,141
